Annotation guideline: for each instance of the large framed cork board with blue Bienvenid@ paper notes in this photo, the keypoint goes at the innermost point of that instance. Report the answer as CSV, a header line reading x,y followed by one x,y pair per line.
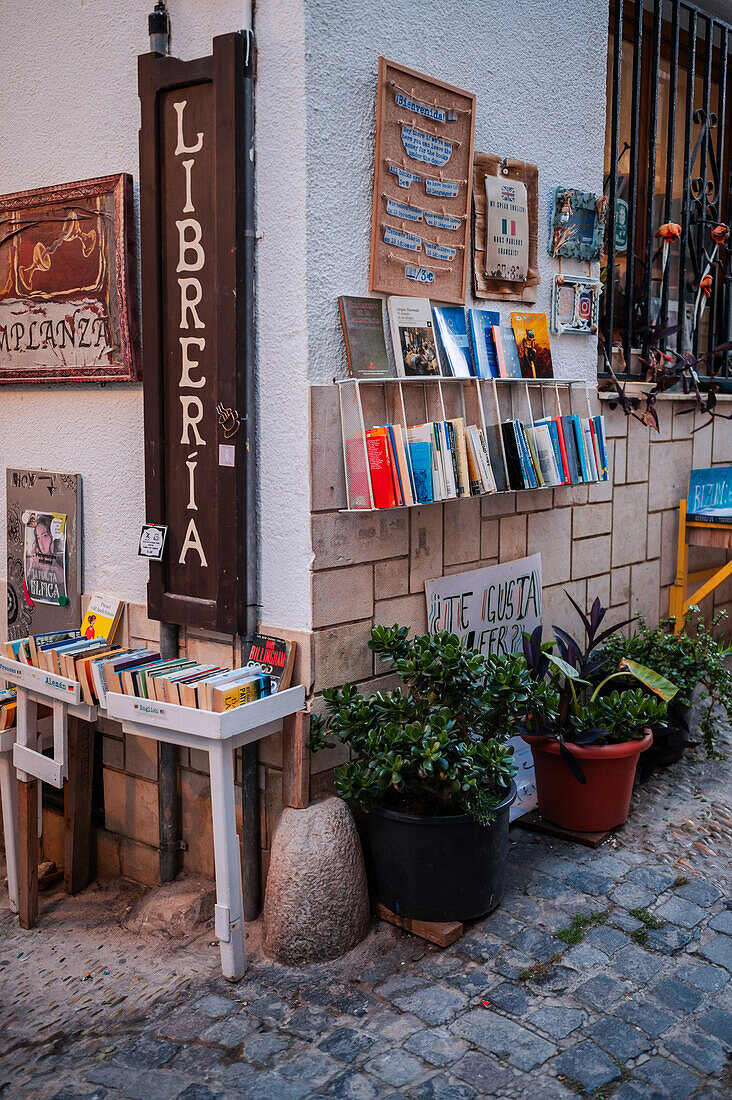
x,y
425,133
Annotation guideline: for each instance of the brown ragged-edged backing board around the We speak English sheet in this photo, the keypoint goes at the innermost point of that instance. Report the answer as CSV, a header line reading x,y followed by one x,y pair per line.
x,y
484,287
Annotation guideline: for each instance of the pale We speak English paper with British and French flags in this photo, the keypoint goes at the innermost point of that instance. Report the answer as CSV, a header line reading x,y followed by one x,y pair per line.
x,y
507,229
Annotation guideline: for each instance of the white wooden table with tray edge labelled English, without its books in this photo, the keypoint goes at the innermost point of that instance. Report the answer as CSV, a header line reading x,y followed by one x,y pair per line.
x,y
220,735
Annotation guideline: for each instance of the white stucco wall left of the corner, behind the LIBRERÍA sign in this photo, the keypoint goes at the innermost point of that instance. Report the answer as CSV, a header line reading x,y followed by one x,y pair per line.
x,y
70,111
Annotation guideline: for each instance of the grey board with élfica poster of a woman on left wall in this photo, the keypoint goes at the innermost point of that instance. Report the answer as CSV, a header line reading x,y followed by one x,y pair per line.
x,y
45,554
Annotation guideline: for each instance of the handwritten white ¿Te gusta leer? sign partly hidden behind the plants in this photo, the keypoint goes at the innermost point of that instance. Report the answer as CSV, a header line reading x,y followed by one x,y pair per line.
x,y
490,609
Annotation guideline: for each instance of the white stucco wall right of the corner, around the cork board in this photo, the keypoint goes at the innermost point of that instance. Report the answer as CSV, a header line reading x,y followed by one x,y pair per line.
x,y
539,72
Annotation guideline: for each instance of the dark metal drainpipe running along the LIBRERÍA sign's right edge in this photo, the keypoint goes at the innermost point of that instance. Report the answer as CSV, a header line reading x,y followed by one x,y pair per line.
x,y
252,856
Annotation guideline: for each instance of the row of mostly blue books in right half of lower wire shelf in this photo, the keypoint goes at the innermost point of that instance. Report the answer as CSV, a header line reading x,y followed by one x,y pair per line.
x,y
567,450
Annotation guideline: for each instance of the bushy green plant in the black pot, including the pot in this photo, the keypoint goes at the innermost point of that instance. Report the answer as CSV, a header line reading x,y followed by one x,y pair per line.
x,y
432,772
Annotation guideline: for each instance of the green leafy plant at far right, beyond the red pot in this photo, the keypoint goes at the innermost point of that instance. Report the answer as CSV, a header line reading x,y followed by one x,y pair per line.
x,y
693,658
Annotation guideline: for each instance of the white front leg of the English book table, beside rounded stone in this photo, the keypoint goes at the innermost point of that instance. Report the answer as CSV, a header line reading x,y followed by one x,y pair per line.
x,y
230,905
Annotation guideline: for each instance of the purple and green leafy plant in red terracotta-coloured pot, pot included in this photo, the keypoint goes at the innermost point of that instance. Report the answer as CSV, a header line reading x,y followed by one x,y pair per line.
x,y
586,756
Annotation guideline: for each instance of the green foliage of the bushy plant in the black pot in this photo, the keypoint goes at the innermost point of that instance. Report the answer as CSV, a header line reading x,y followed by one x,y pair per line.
x,y
439,746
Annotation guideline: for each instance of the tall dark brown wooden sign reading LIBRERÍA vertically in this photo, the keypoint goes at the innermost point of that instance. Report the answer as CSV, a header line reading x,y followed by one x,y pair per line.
x,y
195,314
